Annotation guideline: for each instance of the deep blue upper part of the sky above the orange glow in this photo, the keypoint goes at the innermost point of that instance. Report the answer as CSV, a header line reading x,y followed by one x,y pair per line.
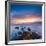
x,y
21,10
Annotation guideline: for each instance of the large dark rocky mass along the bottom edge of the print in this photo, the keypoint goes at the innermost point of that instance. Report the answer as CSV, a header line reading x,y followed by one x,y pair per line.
x,y
27,36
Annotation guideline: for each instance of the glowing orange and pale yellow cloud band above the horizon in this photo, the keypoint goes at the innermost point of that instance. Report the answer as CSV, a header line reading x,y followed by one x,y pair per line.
x,y
25,20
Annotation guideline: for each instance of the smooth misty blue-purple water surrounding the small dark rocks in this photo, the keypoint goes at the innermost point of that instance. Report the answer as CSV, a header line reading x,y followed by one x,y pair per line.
x,y
35,27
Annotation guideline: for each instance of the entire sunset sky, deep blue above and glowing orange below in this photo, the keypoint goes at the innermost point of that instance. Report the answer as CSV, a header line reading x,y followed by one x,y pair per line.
x,y
25,13
